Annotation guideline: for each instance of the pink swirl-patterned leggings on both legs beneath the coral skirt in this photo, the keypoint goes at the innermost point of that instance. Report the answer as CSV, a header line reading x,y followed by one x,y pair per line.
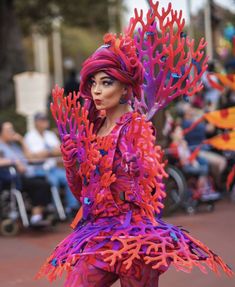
x,y
87,275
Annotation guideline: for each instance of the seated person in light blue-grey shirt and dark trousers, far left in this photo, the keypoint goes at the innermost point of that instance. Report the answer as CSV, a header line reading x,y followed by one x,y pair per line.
x,y
13,152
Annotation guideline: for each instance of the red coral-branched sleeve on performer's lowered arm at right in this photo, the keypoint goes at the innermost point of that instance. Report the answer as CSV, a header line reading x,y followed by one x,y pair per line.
x,y
138,142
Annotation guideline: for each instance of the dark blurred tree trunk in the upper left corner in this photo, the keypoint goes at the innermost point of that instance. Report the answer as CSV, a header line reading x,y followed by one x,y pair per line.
x,y
12,60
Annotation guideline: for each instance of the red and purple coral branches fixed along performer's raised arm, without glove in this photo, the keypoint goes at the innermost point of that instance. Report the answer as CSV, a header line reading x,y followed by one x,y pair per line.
x,y
72,120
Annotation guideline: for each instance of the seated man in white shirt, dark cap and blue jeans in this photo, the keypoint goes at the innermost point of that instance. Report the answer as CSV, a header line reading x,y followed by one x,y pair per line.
x,y
45,145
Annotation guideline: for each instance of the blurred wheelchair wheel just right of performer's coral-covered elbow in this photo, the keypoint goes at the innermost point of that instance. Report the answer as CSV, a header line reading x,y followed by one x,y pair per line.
x,y
175,190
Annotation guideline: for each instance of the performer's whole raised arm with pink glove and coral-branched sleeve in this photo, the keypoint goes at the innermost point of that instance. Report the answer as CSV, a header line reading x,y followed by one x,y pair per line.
x,y
76,134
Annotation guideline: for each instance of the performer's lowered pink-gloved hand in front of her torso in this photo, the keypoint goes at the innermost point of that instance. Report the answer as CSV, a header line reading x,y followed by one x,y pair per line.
x,y
130,163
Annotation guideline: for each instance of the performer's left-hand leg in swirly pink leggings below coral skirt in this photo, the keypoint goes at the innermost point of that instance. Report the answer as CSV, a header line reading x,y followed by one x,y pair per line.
x,y
87,275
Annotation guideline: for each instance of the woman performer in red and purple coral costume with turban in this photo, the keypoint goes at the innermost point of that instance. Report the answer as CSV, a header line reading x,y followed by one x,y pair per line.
x,y
113,166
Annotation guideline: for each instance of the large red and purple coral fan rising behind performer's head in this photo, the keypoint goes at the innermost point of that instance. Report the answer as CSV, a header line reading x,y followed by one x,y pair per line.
x,y
173,64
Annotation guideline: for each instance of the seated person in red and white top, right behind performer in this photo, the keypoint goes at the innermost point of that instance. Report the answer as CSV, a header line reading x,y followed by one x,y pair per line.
x,y
198,167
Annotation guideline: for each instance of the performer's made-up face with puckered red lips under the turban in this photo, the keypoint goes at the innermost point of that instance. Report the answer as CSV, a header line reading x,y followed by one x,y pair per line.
x,y
106,91
